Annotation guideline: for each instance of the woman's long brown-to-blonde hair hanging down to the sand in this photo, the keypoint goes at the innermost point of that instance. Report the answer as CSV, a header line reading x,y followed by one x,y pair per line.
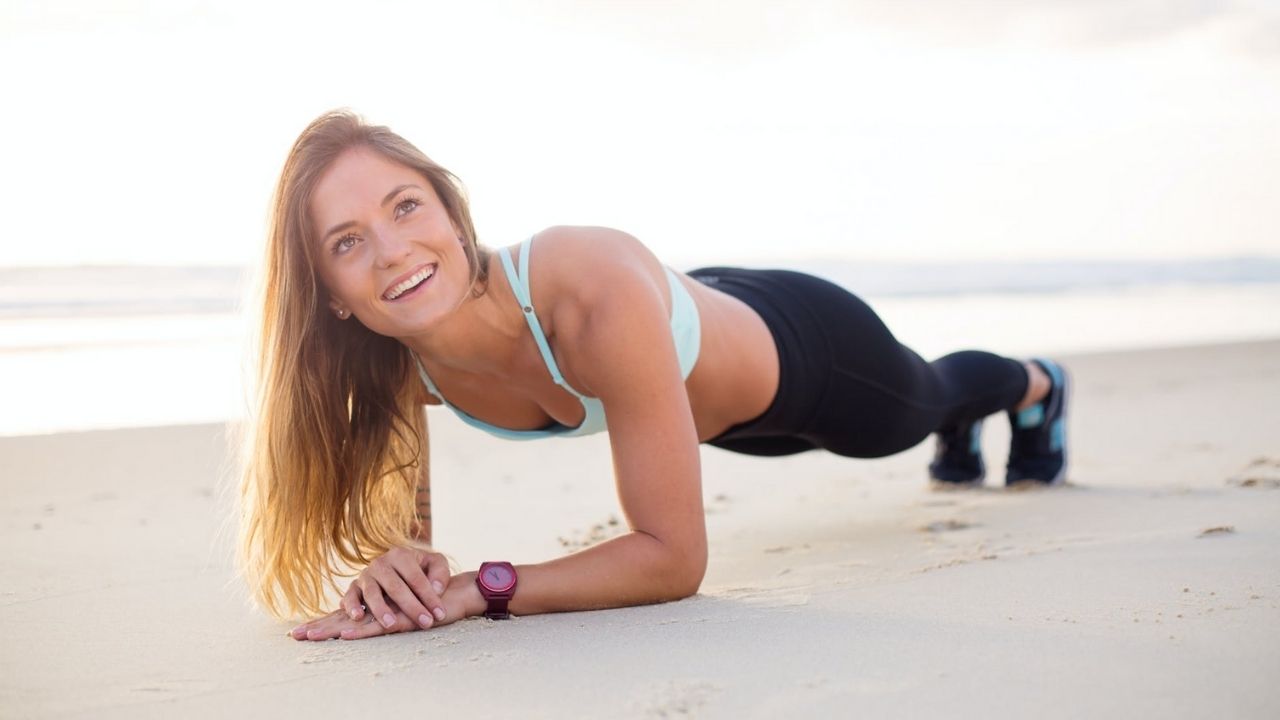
x,y
332,462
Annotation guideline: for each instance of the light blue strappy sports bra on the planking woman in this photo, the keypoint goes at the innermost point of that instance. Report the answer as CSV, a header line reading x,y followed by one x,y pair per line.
x,y
685,330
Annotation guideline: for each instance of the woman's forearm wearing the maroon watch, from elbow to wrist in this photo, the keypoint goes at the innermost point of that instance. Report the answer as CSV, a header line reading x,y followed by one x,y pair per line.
x,y
633,569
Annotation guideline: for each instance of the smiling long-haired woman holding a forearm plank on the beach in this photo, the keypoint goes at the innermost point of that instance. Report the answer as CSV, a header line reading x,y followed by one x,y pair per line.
x,y
380,300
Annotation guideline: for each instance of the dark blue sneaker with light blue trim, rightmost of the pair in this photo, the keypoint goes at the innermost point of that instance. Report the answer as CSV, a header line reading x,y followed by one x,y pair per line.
x,y
1037,450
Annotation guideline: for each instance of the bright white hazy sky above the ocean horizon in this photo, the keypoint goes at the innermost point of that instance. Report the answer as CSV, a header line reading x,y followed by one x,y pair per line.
x,y
145,133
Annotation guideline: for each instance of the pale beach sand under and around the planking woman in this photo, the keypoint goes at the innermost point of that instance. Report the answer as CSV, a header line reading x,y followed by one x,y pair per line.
x,y
1150,586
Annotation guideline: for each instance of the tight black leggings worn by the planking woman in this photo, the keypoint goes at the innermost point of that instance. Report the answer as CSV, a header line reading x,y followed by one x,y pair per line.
x,y
847,385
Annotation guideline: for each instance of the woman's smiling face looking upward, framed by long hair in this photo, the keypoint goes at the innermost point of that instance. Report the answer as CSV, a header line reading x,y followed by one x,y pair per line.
x,y
387,252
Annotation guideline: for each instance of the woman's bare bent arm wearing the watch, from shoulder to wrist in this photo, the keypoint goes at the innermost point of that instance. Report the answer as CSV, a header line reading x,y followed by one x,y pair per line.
x,y
618,343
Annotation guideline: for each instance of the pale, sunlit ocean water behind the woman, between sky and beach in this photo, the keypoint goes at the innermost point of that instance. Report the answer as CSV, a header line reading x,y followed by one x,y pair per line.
x,y
131,347
